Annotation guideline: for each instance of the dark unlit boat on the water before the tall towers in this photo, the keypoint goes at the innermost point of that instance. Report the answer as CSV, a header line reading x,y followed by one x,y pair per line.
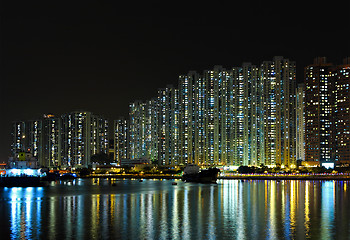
x,y
192,173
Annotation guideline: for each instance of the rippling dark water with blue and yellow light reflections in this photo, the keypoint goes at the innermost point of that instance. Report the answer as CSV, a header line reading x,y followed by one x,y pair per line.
x,y
156,209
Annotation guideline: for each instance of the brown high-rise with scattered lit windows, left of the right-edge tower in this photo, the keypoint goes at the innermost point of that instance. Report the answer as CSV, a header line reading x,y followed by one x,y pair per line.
x,y
319,123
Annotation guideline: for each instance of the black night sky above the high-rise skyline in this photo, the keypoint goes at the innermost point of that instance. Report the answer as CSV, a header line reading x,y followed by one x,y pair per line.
x,y
58,57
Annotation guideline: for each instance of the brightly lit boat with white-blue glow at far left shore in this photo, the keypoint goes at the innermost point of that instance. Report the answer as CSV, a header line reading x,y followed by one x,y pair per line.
x,y
22,171
